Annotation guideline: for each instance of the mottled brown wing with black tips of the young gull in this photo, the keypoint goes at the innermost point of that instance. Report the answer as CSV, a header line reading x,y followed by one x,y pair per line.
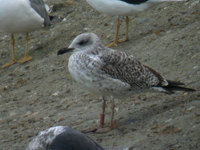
x,y
118,65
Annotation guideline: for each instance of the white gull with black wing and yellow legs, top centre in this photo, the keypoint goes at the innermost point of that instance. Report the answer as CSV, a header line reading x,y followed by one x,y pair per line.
x,y
123,8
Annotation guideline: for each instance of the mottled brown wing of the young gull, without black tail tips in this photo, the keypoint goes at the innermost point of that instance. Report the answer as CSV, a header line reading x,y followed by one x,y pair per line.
x,y
119,65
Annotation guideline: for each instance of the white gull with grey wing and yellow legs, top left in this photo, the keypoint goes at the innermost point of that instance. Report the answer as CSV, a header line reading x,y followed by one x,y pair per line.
x,y
22,16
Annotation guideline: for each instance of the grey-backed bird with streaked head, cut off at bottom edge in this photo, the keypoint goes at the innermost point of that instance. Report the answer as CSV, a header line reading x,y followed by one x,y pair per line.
x,y
62,138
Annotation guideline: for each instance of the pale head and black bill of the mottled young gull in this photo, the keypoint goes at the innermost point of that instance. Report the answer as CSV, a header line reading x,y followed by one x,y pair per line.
x,y
83,42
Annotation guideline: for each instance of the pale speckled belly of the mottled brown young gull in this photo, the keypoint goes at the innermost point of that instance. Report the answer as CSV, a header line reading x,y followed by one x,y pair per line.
x,y
96,82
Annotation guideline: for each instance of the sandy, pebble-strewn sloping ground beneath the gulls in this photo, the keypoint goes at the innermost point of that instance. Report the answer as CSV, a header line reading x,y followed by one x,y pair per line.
x,y
41,93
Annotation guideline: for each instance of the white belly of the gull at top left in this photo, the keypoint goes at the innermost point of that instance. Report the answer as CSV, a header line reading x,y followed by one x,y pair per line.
x,y
19,17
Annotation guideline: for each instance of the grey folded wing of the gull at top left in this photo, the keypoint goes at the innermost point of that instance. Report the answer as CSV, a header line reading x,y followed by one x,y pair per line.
x,y
39,7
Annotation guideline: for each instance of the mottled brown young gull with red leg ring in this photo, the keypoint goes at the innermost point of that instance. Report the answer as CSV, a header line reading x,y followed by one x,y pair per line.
x,y
112,73
